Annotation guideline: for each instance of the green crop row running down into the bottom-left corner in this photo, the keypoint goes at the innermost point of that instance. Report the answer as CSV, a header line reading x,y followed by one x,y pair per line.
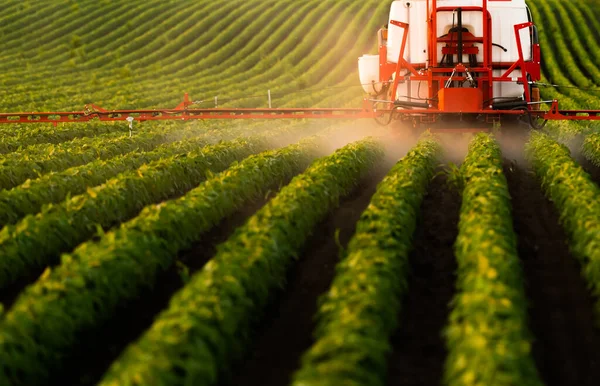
x,y
100,277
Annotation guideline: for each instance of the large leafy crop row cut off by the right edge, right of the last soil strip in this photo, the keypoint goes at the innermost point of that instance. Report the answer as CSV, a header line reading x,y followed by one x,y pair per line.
x,y
576,198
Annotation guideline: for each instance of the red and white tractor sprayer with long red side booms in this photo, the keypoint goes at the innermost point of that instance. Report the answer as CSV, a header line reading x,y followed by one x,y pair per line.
x,y
442,64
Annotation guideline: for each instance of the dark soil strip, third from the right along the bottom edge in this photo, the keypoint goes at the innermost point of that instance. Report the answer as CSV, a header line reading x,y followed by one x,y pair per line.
x,y
286,331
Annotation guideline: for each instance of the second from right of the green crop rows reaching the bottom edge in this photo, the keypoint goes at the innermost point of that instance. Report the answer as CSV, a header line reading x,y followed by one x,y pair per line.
x,y
358,314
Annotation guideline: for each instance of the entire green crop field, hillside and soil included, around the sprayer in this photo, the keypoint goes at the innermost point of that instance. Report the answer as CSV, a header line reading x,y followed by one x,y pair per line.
x,y
198,251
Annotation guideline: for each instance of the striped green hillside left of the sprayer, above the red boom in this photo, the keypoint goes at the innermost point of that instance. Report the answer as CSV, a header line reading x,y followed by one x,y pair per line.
x,y
140,54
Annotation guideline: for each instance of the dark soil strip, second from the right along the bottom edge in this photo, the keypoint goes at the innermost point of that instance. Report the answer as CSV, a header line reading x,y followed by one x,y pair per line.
x,y
418,347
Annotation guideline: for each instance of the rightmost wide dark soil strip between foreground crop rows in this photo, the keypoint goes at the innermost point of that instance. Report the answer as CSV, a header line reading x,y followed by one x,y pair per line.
x,y
560,307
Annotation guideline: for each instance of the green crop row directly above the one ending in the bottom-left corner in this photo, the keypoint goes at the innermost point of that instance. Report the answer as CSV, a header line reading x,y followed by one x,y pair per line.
x,y
36,241
